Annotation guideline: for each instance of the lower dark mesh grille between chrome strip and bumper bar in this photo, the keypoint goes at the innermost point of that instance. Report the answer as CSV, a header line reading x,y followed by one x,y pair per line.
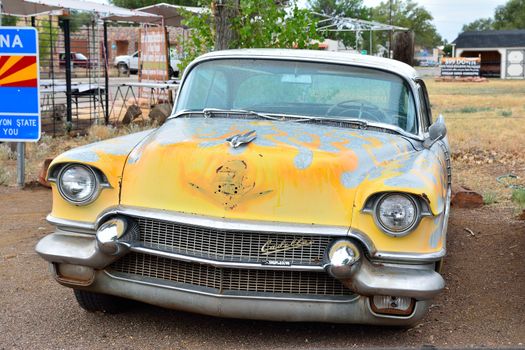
x,y
230,280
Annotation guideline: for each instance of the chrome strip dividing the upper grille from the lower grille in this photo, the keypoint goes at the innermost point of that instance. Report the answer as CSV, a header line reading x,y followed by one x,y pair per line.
x,y
225,264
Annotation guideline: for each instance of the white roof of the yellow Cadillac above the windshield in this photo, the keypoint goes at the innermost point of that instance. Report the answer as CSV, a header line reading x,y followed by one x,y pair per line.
x,y
386,64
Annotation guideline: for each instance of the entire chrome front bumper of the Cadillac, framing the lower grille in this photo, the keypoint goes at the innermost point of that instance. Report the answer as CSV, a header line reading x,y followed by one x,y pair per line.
x,y
79,261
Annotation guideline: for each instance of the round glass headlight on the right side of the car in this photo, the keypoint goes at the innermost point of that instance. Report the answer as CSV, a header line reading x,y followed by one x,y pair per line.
x,y
397,213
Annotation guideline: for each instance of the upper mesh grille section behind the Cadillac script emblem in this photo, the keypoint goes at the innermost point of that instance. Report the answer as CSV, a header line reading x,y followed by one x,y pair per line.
x,y
224,245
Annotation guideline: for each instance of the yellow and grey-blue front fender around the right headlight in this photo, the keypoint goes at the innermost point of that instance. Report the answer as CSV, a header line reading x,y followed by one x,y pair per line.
x,y
420,174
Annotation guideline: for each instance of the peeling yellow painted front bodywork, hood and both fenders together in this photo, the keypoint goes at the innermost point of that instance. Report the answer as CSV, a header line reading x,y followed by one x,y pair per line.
x,y
293,173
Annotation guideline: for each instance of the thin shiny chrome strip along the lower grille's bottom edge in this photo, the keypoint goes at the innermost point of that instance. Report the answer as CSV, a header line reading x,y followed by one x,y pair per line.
x,y
227,296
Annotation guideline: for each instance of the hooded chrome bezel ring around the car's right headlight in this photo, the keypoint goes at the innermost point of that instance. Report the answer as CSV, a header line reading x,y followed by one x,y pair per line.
x,y
420,209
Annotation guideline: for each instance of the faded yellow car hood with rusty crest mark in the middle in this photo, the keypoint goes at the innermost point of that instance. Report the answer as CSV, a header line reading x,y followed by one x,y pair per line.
x,y
291,172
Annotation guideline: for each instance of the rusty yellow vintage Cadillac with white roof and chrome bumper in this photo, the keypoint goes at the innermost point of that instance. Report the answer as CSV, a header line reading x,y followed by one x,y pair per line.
x,y
286,185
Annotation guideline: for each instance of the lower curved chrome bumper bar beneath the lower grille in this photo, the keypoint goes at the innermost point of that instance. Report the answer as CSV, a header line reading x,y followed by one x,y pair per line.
x,y
355,310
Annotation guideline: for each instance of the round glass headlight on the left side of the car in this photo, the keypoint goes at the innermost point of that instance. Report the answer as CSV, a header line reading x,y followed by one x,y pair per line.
x,y
78,184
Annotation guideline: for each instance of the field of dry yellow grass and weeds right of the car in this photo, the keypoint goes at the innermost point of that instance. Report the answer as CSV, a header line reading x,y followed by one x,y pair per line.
x,y
486,128
